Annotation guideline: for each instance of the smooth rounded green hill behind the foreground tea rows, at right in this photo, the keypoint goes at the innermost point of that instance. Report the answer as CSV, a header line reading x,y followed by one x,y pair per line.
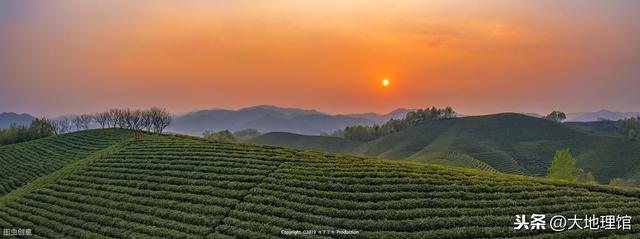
x,y
510,143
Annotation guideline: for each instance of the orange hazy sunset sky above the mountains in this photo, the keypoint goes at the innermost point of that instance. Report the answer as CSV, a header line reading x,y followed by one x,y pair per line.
x,y
478,56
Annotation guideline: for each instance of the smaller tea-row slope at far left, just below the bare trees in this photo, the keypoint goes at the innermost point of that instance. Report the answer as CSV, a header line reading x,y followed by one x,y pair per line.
x,y
24,162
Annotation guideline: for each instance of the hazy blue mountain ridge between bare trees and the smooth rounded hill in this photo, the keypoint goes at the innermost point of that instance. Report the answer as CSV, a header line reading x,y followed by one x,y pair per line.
x,y
268,118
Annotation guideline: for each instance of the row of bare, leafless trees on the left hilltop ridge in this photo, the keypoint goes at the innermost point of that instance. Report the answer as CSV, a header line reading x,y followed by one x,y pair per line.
x,y
152,120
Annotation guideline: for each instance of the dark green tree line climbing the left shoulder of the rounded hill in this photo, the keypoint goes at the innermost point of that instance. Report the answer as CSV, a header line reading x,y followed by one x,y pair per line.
x,y
413,118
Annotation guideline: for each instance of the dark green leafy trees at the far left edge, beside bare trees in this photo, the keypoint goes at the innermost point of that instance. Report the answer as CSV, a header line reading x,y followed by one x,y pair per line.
x,y
39,128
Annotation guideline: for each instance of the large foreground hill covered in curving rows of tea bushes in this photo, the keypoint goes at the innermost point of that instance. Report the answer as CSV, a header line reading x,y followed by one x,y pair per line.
x,y
183,187
